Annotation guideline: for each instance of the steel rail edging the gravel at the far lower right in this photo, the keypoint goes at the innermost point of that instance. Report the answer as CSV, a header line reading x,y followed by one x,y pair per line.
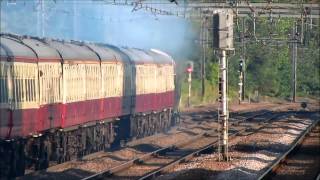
x,y
282,158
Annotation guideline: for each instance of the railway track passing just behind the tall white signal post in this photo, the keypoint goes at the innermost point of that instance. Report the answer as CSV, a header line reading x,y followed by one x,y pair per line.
x,y
155,163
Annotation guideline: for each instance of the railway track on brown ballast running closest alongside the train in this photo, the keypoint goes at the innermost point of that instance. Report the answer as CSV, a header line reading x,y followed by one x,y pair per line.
x,y
200,122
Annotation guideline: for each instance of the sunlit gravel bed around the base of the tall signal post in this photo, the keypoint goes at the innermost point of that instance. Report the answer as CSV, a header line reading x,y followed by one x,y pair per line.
x,y
250,154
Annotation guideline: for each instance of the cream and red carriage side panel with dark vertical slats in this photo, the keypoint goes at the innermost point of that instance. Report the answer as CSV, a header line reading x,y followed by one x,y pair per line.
x,y
25,98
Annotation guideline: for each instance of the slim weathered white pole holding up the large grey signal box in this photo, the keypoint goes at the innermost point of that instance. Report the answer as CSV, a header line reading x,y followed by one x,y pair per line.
x,y
224,105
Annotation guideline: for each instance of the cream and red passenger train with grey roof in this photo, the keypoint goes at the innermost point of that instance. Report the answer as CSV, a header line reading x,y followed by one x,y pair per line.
x,y
61,100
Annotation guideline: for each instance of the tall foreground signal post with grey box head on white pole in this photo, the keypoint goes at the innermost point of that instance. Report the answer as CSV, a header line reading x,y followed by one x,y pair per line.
x,y
223,42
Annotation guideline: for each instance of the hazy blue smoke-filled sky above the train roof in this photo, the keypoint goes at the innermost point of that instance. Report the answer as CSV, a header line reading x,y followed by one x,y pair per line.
x,y
95,21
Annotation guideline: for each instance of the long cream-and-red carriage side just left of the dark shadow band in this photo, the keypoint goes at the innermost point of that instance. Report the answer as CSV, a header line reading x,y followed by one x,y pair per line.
x,y
92,92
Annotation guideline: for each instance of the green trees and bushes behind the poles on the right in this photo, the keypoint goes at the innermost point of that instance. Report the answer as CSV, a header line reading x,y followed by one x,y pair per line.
x,y
268,62
